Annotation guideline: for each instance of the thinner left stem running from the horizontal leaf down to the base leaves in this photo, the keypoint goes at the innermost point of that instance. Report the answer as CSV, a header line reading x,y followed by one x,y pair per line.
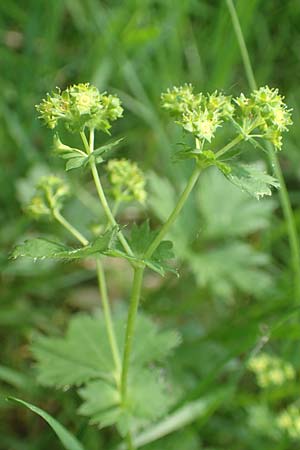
x,y
108,318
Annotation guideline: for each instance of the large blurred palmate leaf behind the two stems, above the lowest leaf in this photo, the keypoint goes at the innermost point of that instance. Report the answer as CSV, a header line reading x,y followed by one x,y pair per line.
x,y
84,353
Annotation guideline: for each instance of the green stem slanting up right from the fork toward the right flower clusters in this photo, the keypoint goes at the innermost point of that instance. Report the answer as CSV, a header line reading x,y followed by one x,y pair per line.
x,y
174,214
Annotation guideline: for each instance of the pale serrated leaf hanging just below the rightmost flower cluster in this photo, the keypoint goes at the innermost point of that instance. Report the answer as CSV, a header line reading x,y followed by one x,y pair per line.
x,y
252,179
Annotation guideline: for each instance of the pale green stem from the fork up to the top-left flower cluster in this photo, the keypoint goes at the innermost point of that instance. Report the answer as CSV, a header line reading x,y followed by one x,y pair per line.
x,y
90,148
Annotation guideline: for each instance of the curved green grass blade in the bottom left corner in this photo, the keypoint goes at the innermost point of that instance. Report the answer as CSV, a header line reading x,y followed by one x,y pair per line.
x,y
66,438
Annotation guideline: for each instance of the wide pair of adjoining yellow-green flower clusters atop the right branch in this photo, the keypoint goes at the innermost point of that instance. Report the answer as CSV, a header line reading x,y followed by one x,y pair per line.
x,y
264,111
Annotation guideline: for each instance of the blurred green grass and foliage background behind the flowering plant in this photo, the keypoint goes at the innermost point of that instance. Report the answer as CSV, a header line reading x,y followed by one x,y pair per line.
x,y
233,252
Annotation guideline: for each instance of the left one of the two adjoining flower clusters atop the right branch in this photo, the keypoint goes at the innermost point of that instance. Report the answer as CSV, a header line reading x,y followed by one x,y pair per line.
x,y
199,114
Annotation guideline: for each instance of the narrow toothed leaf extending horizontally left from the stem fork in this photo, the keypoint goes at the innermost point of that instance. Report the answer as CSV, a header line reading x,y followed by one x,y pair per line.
x,y
43,248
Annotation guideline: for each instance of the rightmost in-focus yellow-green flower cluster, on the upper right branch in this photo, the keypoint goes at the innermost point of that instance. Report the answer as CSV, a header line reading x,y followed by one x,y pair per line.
x,y
266,112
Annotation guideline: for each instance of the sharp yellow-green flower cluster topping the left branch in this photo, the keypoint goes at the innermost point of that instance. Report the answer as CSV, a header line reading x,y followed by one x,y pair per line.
x,y
80,106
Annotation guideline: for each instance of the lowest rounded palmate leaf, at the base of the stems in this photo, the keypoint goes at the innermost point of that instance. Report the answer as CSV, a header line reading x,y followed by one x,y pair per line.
x,y
148,399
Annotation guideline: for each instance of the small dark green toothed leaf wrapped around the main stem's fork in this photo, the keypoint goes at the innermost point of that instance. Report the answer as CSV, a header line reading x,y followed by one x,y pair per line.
x,y
140,238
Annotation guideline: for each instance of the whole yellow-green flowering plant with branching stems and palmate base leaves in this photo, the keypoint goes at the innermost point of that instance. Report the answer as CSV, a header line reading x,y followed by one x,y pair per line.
x,y
117,373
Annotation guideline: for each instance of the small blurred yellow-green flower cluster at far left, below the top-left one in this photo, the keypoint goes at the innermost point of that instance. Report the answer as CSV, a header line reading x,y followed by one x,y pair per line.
x,y
50,192
